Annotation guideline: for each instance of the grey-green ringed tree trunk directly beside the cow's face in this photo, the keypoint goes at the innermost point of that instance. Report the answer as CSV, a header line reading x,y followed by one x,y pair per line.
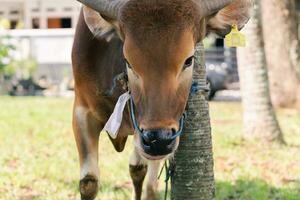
x,y
193,176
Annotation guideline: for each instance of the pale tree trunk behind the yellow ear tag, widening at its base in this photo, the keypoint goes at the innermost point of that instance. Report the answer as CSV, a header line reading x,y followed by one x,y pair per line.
x,y
259,116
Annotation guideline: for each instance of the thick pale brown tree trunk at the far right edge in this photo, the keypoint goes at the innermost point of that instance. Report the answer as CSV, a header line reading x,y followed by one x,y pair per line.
x,y
282,48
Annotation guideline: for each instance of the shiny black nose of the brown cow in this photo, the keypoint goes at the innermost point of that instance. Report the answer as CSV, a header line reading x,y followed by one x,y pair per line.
x,y
158,142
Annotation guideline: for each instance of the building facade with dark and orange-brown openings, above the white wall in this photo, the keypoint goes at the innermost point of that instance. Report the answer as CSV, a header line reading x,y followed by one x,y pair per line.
x,y
40,14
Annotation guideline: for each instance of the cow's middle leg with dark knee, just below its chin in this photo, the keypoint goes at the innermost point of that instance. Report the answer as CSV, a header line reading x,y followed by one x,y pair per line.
x,y
138,170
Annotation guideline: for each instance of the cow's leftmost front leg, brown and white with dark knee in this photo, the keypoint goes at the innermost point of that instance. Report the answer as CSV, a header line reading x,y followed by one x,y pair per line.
x,y
86,131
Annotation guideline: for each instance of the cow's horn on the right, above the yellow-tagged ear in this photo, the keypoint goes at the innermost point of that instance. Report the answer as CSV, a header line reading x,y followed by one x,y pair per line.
x,y
209,7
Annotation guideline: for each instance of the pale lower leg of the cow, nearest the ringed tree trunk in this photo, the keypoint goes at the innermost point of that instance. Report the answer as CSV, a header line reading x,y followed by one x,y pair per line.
x,y
152,183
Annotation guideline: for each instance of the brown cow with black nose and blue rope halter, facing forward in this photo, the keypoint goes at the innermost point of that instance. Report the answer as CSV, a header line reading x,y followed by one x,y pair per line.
x,y
154,41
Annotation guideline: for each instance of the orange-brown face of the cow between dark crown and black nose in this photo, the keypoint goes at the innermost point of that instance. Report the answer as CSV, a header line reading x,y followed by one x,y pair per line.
x,y
159,92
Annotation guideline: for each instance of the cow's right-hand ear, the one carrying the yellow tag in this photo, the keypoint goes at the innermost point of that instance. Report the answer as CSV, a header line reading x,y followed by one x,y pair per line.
x,y
238,12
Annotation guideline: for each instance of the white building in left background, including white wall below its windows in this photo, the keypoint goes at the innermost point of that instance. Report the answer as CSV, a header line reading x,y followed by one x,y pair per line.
x,y
50,43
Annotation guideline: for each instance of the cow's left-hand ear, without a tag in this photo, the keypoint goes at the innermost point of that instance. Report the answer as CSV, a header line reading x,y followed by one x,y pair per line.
x,y
100,26
